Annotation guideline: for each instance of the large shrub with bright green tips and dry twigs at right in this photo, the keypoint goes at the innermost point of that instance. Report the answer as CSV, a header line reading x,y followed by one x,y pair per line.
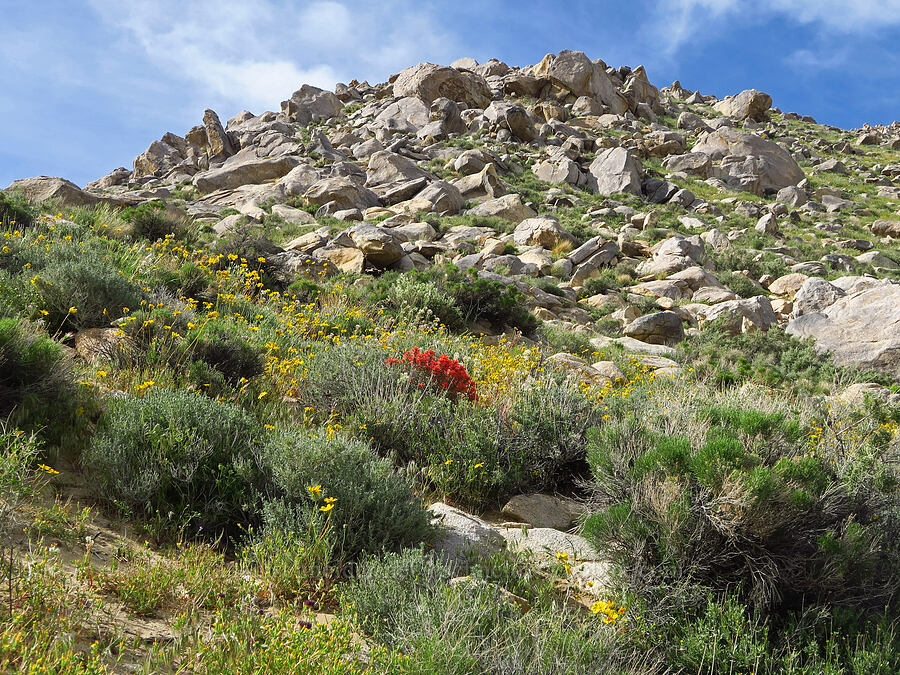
x,y
740,502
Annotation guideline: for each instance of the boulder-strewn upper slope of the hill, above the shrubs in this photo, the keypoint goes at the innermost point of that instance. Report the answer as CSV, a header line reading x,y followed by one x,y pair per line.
x,y
553,173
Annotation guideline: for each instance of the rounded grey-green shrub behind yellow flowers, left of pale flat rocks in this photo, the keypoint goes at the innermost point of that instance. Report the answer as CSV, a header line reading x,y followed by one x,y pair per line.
x,y
375,508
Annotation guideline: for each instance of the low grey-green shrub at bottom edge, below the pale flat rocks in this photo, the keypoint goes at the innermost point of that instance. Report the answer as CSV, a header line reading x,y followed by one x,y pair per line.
x,y
406,602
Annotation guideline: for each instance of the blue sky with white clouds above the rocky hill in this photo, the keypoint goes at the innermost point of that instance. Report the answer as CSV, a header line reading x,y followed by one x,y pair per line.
x,y
85,85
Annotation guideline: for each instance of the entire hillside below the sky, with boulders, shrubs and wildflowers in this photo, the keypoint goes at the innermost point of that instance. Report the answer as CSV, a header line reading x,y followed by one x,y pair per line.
x,y
624,360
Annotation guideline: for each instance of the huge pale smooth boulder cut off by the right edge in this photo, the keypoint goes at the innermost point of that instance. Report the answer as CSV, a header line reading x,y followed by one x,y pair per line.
x,y
861,329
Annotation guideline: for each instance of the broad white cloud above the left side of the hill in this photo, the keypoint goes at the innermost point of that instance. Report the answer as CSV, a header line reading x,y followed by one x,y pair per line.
x,y
255,53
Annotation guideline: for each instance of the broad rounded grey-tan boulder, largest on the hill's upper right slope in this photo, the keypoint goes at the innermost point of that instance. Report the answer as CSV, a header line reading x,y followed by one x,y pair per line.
x,y
749,162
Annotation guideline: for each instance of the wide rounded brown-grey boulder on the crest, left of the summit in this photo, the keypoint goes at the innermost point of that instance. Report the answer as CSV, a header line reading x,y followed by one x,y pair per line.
x,y
428,82
